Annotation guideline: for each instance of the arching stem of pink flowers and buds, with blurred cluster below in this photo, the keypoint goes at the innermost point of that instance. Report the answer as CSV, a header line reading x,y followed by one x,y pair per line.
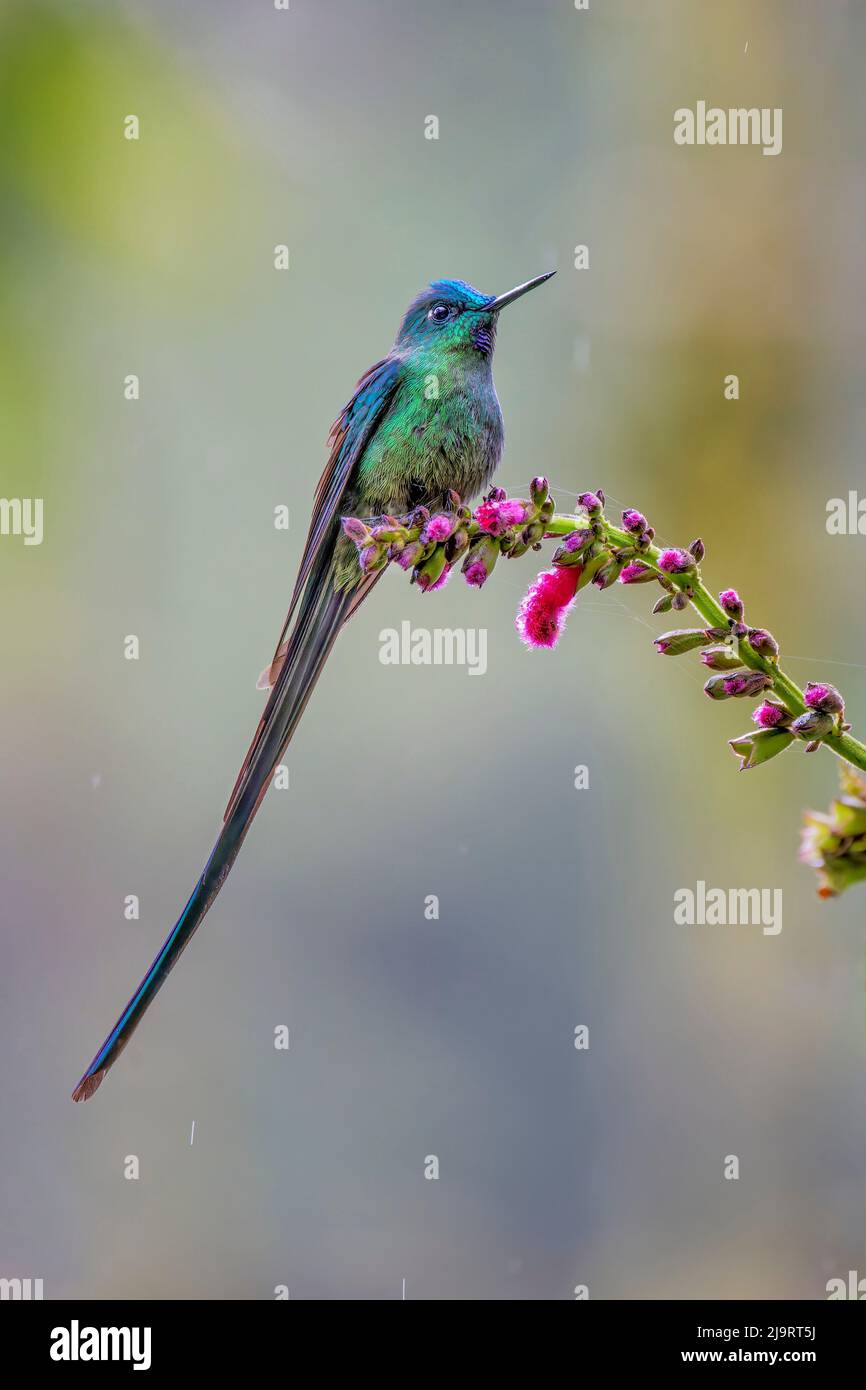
x,y
594,551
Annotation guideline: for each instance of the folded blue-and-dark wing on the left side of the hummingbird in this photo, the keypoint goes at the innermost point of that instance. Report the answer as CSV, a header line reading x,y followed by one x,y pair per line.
x,y
350,436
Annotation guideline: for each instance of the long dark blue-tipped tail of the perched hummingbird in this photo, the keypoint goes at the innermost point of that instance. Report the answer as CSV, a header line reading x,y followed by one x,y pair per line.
x,y
320,618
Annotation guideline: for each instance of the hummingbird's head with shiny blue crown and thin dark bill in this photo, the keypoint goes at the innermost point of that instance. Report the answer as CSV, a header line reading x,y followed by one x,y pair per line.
x,y
455,318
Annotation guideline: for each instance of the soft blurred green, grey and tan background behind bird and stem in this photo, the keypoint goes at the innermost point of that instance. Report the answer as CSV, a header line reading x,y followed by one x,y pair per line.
x,y
414,1038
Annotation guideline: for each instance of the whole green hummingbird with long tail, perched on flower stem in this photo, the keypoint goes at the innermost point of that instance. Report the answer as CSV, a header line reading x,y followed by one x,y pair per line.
x,y
423,423
